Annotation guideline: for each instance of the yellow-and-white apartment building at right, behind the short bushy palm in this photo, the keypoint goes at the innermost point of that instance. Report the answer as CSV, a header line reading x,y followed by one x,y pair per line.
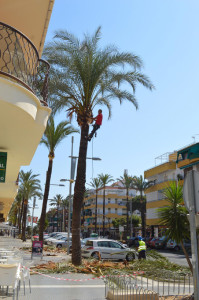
x,y
161,175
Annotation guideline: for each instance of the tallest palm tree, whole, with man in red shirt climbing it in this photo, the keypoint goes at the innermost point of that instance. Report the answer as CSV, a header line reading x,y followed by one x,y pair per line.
x,y
84,76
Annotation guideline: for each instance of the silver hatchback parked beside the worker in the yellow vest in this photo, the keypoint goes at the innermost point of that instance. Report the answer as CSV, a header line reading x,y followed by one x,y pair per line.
x,y
107,249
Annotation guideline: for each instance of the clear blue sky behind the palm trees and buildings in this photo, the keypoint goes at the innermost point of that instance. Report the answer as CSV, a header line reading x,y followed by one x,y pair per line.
x,y
165,35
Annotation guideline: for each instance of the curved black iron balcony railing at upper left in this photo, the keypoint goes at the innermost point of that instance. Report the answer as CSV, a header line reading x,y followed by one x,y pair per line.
x,y
19,60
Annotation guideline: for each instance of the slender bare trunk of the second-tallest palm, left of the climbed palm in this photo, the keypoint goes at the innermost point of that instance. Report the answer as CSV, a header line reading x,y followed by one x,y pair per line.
x,y
45,200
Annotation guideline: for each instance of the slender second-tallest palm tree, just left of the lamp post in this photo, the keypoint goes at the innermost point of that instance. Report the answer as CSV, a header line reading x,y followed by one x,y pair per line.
x,y
52,137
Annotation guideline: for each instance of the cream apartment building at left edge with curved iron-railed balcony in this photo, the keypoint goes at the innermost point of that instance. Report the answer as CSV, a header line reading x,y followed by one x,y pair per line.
x,y
23,89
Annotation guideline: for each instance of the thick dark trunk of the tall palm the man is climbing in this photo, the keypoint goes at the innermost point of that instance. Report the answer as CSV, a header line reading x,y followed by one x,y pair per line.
x,y
78,197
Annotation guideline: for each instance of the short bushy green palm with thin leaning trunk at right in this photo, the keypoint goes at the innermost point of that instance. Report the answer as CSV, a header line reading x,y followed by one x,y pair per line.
x,y
174,217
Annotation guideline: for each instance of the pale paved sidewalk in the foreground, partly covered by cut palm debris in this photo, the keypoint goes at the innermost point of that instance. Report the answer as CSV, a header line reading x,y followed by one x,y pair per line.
x,y
54,286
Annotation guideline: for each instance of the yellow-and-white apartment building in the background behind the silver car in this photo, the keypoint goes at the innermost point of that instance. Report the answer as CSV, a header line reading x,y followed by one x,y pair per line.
x,y
115,207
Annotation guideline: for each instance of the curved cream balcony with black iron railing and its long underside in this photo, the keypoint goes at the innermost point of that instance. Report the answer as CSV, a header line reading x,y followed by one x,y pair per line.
x,y
24,108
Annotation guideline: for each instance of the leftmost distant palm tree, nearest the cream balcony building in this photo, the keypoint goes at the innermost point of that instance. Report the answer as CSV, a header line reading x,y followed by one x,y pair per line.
x,y
29,187
